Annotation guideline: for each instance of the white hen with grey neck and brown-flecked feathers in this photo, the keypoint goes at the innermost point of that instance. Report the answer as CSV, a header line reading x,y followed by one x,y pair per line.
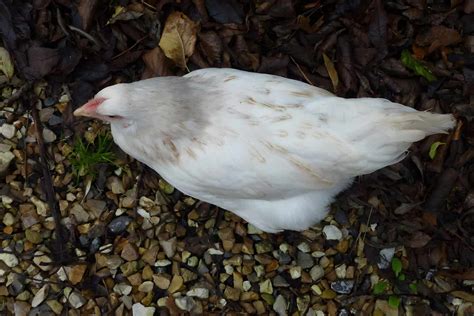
x,y
274,151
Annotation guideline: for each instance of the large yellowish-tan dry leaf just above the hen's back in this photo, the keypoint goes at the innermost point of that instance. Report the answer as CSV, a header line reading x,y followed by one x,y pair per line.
x,y
179,38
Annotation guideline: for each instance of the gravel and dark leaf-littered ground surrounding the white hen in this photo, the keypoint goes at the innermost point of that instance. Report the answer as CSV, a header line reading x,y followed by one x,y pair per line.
x,y
85,229
